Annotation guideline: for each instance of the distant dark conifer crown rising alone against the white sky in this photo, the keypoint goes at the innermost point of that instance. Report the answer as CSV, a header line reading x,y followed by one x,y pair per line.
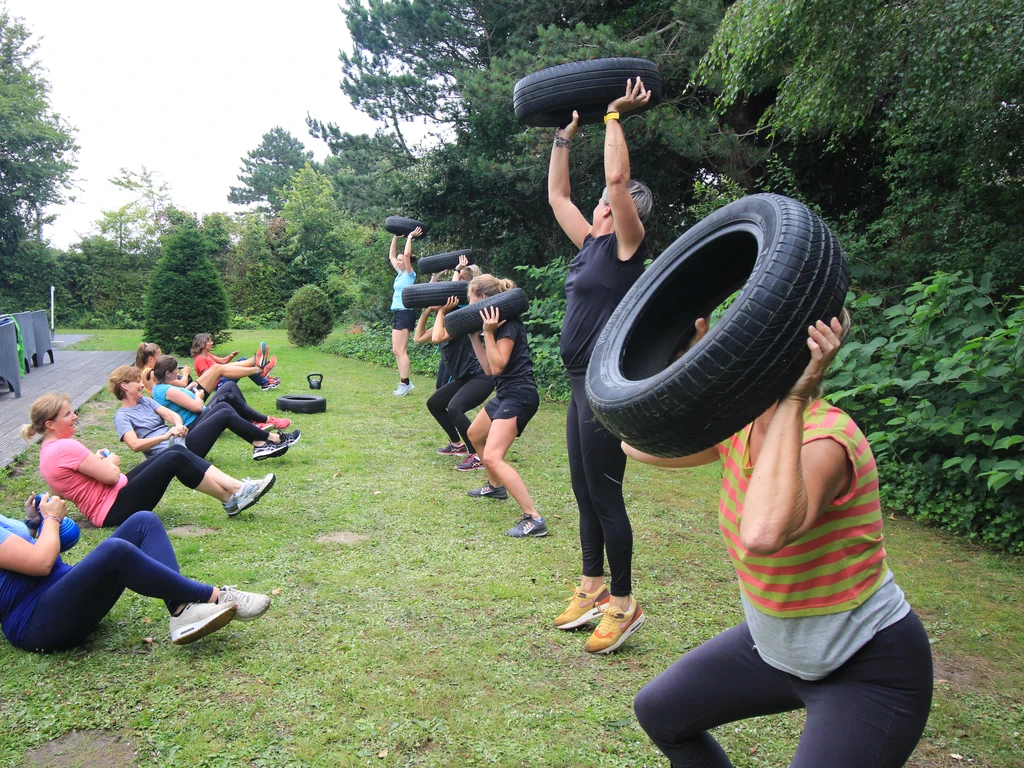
x,y
269,168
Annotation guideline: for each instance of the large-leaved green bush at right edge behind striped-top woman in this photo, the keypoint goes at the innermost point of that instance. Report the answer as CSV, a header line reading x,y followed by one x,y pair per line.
x,y
938,395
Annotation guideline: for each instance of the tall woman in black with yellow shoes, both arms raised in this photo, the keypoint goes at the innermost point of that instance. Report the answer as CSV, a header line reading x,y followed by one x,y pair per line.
x,y
613,250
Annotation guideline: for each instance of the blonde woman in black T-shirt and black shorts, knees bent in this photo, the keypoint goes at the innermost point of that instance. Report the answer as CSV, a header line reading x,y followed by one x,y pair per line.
x,y
505,356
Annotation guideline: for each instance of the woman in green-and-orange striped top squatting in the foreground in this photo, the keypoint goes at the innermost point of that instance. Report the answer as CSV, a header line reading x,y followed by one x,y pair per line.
x,y
828,629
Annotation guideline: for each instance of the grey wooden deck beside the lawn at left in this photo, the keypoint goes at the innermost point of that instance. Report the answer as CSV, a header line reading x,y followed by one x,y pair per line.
x,y
79,374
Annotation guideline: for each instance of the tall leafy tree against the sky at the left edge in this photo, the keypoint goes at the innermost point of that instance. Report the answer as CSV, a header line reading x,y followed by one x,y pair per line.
x,y
37,153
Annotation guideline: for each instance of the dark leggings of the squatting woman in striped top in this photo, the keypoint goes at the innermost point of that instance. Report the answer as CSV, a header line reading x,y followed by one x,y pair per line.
x,y
870,712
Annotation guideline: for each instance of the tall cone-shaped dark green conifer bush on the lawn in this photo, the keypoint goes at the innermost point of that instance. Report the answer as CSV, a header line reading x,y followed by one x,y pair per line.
x,y
186,294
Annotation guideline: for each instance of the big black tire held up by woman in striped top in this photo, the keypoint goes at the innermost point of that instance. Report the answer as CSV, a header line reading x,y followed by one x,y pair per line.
x,y
654,394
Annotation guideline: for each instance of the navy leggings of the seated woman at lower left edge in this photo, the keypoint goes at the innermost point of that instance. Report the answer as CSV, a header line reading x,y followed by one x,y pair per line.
x,y
138,557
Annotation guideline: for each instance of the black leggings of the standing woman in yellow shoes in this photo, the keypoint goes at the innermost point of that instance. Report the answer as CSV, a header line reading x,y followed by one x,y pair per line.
x,y
598,465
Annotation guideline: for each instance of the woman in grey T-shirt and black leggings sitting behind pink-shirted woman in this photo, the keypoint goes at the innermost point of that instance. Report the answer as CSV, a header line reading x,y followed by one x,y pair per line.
x,y
142,422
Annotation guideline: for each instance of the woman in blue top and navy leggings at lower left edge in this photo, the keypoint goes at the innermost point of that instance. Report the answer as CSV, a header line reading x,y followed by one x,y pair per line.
x,y
49,606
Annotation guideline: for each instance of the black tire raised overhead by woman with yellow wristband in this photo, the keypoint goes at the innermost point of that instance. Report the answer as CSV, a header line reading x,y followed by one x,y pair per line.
x,y
548,98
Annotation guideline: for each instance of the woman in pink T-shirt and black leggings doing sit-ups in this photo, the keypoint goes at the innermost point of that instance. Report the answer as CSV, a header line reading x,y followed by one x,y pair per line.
x,y
95,483
